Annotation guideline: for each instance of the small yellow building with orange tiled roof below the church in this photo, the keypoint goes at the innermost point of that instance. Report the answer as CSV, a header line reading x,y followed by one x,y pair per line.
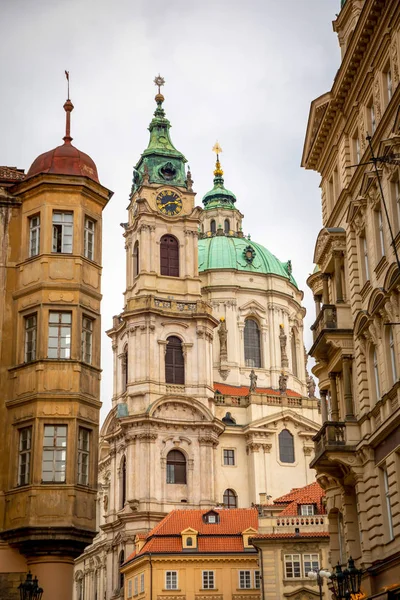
x,y
196,555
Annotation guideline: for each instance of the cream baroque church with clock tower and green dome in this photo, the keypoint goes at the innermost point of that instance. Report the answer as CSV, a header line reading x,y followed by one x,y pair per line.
x,y
212,404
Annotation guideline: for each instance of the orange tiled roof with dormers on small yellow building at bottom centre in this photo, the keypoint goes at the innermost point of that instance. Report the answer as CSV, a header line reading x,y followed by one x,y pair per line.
x,y
225,536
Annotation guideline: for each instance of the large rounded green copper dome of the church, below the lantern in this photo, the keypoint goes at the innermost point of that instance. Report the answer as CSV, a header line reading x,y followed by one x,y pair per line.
x,y
228,252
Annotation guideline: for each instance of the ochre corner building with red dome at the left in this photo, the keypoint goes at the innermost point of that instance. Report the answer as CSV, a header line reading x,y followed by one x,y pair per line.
x,y
50,267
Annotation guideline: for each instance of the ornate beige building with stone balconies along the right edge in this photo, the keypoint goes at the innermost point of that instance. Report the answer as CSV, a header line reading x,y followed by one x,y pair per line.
x,y
356,289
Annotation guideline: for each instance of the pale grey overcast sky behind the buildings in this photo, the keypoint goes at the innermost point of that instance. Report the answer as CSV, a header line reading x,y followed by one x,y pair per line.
x,y
240,72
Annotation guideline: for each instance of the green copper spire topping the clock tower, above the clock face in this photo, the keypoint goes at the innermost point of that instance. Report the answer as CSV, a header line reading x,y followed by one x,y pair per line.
x,y
161,161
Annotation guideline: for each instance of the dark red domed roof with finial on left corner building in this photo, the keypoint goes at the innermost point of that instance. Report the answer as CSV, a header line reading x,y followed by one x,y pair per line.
x,y
65,159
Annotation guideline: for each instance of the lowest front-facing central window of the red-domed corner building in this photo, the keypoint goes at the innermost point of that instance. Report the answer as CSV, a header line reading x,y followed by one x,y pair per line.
x,y
54,459
